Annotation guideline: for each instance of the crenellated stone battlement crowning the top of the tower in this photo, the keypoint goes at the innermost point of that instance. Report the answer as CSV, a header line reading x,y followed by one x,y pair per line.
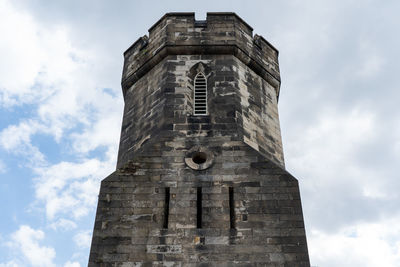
x,y
181,34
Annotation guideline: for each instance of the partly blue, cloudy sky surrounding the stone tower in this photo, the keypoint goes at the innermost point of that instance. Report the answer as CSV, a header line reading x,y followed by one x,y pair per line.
x,y
61,109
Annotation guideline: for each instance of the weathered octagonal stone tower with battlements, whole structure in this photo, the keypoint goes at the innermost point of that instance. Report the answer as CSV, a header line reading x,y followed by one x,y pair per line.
x,y
200,178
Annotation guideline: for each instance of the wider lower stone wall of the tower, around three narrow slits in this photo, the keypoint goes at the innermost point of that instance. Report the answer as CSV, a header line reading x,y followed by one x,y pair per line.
x,y
268,222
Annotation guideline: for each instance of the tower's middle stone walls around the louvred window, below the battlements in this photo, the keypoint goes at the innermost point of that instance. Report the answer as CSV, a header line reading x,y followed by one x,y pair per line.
x,y
241,104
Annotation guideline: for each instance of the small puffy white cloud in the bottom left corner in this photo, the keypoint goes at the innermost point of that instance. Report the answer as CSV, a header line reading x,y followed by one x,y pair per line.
x,y
26,241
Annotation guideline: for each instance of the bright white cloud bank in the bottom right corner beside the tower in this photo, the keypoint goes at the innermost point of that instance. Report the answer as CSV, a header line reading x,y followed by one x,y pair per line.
x,y
367,245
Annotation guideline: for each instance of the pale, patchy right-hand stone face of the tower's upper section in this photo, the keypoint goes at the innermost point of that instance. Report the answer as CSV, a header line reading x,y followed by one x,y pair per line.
x,y
258,113
